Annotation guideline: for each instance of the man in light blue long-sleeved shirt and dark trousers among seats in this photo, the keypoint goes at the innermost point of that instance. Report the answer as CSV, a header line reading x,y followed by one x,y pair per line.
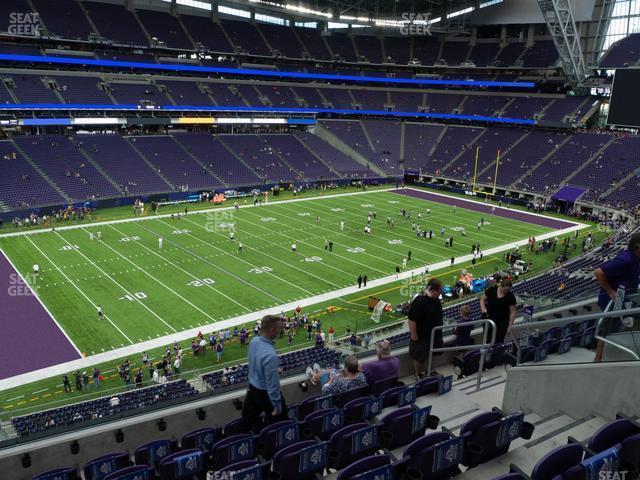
x,y
263,395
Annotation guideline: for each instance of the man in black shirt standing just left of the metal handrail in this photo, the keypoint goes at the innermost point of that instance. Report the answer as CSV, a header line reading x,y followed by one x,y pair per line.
x,y
425,313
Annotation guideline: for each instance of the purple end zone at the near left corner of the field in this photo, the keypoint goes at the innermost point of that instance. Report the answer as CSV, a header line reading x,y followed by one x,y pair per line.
x,y
30,338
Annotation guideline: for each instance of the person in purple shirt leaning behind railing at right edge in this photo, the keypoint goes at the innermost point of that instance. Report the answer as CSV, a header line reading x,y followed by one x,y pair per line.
x,y
622,271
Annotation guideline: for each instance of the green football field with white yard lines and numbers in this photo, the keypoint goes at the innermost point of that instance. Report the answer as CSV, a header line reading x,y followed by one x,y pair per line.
x,y
199,277
